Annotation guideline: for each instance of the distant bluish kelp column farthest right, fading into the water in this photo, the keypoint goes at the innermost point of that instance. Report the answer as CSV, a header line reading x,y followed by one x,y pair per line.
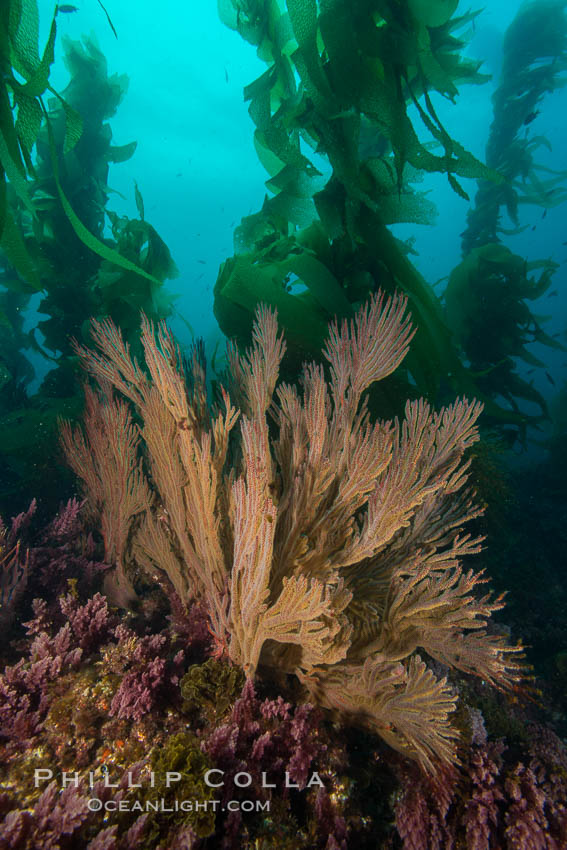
x,y
488,296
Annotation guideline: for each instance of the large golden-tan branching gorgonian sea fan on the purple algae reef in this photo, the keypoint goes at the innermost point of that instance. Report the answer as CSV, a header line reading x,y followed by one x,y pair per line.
x,y
327,546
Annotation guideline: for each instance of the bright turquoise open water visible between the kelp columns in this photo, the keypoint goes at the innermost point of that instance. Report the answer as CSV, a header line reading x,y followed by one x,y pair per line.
x,y
195,161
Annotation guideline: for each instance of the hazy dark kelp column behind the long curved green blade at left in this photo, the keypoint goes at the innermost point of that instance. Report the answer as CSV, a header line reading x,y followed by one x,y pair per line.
x,y
80,282
